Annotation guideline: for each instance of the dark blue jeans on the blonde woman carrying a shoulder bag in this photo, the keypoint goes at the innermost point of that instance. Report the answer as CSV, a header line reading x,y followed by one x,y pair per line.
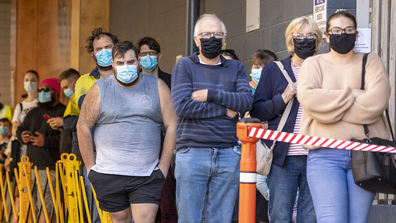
x,y
283,182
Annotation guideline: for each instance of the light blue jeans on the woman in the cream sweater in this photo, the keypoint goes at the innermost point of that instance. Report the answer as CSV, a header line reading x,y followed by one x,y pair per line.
x,y
336,196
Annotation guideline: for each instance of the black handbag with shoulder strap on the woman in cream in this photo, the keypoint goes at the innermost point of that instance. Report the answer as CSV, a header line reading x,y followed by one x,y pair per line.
x,y
374,171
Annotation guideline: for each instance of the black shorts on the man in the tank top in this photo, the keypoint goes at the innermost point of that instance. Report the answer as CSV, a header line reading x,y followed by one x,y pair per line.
x,y
116,192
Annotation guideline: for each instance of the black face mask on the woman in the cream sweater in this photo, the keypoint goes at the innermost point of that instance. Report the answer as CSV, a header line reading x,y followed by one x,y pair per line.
x,y
343,43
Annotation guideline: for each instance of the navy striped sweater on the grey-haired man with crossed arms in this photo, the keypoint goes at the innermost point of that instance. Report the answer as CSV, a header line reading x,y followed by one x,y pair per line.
x,y
206,124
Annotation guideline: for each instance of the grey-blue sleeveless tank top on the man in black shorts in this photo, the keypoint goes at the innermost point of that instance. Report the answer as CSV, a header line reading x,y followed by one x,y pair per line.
x,y
128,130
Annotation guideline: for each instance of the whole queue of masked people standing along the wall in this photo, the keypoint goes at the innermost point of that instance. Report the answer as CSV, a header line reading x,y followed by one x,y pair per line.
x,y
163,148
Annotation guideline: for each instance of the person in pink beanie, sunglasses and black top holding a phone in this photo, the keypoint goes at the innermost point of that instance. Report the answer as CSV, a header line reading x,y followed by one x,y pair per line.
x,y
43,141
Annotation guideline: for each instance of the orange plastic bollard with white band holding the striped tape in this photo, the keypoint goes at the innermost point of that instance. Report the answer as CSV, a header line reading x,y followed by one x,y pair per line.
x,y
247,179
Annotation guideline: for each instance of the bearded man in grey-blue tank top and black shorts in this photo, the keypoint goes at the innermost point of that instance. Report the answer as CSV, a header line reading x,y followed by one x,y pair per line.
x,y
128,110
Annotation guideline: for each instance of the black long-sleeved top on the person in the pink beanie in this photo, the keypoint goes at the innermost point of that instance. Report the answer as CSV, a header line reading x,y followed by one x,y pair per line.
x,y
48,155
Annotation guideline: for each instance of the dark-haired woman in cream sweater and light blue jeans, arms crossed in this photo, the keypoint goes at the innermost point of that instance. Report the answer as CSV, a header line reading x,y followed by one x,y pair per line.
x,y
328,89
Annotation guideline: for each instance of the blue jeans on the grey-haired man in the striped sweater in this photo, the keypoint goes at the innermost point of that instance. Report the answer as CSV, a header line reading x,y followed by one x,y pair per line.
x,y
212,172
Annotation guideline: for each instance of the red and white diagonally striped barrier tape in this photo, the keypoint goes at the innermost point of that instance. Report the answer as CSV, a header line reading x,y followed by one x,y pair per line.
x,y
316,141
